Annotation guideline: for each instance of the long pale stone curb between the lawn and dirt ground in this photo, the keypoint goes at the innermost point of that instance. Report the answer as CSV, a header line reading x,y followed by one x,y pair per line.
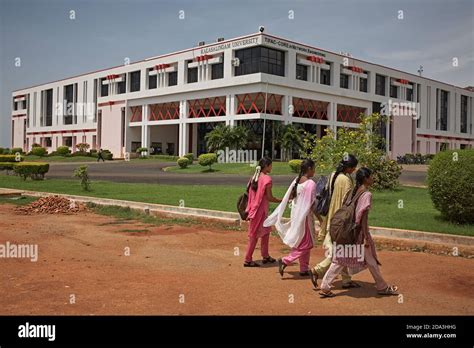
x,y
234,218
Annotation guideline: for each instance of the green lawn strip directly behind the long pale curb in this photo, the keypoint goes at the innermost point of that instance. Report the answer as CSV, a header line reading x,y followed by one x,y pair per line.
x,y
417,212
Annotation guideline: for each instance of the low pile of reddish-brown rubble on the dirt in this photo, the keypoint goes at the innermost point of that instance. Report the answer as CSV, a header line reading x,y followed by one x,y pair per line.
x,y
51,205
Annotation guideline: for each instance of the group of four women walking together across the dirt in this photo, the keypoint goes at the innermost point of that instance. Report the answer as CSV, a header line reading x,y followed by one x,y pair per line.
x,y
299,231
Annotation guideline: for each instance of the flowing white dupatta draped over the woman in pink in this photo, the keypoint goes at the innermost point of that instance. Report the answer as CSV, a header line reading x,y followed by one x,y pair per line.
x,y
292,232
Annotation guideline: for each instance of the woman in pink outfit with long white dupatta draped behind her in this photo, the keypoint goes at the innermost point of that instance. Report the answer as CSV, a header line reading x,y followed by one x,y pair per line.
x,y
298,233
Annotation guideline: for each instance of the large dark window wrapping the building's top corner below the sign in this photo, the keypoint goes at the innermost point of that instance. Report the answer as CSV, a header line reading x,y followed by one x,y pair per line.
x,y
260,59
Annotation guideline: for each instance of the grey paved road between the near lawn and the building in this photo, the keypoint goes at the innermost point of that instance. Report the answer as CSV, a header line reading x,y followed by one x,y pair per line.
x,y
151,172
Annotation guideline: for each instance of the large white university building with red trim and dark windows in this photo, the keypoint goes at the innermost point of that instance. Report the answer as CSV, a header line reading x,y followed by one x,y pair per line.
x,y
169,102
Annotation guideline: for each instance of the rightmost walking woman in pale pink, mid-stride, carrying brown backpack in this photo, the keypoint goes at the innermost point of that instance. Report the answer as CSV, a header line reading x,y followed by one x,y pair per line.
x,y
366,257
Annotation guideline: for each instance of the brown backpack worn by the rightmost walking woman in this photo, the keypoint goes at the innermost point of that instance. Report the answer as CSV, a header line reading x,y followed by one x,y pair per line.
x,y
342,228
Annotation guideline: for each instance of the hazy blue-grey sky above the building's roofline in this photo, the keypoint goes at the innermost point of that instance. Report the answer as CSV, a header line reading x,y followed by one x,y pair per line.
x,y
401,34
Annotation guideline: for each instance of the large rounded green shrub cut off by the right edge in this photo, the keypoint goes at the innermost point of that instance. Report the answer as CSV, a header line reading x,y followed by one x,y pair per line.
x,y
451,184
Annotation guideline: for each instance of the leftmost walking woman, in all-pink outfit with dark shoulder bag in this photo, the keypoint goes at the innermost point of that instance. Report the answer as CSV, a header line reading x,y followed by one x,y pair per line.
x,y
259,198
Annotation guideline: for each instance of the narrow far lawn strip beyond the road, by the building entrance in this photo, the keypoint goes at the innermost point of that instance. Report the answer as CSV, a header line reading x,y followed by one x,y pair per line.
x,y
279,168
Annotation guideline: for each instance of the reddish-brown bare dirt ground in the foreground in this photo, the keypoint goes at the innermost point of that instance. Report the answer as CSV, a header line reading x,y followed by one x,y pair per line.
x,y
184,270
